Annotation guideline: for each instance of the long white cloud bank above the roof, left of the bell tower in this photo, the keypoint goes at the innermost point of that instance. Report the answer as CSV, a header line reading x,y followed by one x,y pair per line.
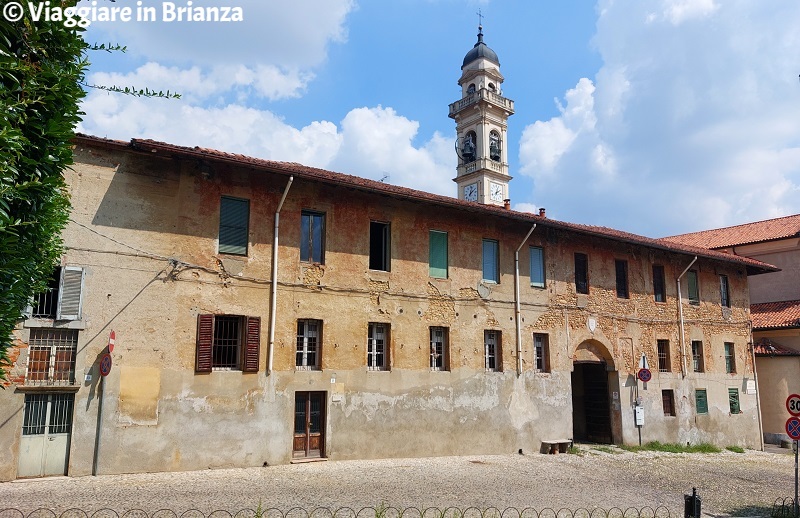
x,y
374,143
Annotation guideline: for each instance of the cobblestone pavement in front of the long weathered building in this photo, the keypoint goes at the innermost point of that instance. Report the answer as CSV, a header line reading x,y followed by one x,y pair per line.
x,y
744,484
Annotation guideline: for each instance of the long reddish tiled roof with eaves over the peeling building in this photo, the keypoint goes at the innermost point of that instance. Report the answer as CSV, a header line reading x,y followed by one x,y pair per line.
x,y
301,171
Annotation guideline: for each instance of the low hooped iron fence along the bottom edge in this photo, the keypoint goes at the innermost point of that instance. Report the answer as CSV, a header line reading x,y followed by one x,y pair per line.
x,y
347,512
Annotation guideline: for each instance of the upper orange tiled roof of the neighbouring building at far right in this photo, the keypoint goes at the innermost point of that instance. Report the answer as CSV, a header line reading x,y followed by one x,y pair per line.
x,y
758,232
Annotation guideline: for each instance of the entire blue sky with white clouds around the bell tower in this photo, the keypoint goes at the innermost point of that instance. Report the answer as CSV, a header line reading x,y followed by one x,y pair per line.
x,y
652,116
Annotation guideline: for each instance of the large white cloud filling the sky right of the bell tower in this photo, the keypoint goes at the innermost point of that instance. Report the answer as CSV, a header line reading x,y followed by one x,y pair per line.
x,y
691,122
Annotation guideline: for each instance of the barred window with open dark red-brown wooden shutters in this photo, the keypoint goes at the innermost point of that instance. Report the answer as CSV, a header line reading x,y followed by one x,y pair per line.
x,y
227,342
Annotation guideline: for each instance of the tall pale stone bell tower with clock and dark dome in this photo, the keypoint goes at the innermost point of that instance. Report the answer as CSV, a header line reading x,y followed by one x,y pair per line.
x,y
481,117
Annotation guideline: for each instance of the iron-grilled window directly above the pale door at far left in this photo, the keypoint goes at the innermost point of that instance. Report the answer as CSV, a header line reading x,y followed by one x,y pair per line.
x,y
51,357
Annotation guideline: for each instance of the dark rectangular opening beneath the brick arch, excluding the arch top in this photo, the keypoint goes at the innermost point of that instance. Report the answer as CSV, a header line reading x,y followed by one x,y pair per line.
x,y
591,411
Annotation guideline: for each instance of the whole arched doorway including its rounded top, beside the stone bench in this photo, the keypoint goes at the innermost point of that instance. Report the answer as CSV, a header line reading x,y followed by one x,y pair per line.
x,y
591,393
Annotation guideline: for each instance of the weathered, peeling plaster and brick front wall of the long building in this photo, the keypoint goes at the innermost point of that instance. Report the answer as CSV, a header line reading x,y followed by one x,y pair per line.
x,y
145,229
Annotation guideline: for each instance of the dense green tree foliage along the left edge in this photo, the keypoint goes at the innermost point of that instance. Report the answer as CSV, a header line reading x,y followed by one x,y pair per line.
x,y
42,66
